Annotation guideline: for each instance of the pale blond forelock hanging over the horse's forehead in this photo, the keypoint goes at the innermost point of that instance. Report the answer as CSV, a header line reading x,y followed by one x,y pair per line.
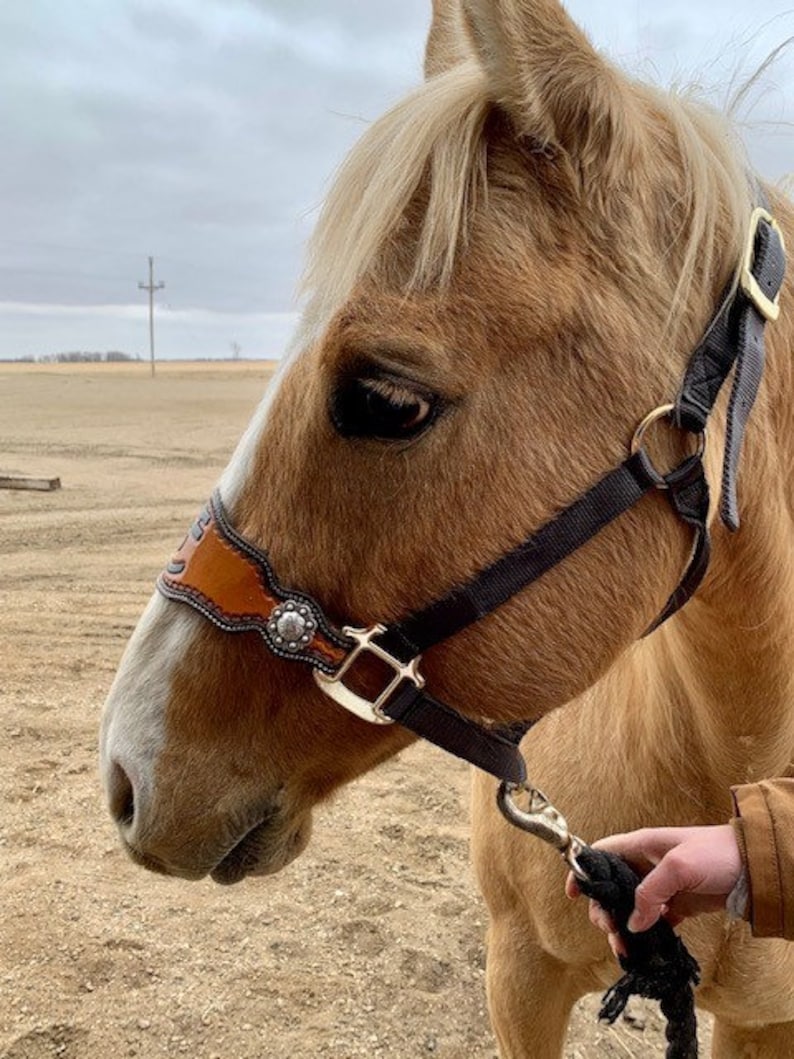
x,y
440,125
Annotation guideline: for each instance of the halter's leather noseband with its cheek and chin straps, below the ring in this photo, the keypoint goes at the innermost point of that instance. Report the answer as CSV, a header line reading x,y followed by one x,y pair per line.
x,y
231,583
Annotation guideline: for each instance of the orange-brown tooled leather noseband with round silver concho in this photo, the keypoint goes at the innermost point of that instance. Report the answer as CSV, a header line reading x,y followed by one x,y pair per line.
x,y
230,587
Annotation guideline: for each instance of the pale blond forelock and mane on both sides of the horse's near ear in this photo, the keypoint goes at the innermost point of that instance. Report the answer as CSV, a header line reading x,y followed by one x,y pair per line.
x,y
437,138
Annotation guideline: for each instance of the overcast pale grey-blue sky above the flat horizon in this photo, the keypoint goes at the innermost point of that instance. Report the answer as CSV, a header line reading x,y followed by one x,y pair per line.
x,y
205,133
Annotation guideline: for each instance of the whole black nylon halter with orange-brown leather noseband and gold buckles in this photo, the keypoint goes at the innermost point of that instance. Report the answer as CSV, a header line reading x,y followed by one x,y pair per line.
x,y
231,582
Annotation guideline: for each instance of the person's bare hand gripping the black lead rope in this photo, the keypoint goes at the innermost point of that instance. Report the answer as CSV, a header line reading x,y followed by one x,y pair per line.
x,y
688,871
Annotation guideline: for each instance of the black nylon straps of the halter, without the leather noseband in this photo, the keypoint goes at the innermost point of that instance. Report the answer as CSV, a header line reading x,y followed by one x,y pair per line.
x,y
735,338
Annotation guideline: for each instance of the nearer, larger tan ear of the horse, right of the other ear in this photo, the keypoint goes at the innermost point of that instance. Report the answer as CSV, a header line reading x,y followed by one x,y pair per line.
x,y
557,89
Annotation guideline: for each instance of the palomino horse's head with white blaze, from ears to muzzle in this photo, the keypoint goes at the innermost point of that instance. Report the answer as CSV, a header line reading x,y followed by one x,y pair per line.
x,y
512,270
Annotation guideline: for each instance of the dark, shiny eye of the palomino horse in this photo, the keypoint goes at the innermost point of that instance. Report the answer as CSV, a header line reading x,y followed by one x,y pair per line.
x,y
382,408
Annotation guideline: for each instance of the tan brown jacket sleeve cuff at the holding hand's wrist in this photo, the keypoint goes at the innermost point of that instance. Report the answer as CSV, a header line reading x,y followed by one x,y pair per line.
x,y
765,829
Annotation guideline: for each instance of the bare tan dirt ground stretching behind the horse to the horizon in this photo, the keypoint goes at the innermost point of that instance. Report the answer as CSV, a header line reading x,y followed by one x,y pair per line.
x,y
370,945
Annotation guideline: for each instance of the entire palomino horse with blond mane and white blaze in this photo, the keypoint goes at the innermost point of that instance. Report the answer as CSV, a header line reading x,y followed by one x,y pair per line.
x,y
514,267
